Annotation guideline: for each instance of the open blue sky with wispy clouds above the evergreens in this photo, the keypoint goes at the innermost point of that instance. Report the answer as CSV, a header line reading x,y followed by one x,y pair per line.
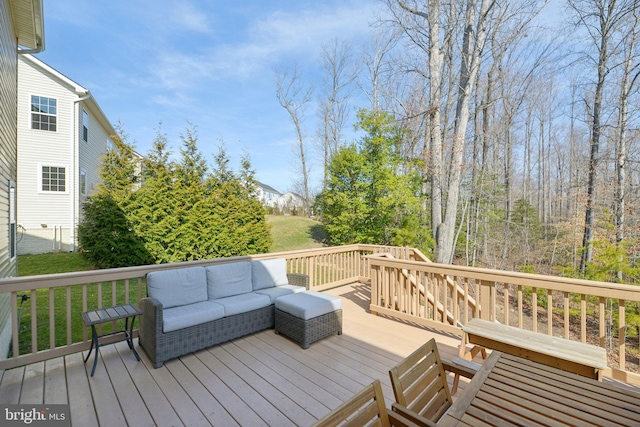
x,y
209,62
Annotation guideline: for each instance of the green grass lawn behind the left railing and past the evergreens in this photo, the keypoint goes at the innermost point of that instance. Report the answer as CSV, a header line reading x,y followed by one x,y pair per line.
x,y
288,233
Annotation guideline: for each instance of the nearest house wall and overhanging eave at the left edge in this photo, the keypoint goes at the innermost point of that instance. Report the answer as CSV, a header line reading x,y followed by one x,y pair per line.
x,y
21,27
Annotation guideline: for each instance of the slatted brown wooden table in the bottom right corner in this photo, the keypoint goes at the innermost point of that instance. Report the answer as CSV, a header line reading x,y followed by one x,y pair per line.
x,y
512,391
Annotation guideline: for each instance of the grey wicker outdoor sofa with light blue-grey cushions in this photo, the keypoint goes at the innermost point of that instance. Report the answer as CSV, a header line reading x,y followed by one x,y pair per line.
x,y
189,309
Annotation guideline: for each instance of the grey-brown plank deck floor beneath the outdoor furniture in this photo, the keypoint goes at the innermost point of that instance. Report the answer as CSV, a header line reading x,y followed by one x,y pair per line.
x,y
261,379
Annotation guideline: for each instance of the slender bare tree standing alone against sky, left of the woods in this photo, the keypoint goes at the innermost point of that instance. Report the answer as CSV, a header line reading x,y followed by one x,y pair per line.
x,y
294,97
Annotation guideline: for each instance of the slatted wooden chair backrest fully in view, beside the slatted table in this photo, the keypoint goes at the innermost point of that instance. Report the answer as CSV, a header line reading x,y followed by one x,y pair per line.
x,y
420,383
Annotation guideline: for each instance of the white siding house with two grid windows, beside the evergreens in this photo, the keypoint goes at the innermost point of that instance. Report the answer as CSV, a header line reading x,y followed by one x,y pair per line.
x,y
62,134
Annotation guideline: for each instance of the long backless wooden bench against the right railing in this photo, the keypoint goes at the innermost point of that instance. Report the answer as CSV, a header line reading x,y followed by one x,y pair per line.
x,y
583,359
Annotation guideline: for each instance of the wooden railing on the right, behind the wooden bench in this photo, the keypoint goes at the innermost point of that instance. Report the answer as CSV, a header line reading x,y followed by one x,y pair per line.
x,y
446,296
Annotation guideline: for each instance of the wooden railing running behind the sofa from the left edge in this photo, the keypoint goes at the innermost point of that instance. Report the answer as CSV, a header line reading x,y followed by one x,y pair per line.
x,y
47,323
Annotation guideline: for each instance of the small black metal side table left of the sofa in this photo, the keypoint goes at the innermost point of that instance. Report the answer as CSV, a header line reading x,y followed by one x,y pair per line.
x,y
104,315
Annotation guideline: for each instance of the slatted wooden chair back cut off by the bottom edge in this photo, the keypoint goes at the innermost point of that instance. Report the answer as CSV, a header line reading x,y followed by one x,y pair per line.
x,y
365,408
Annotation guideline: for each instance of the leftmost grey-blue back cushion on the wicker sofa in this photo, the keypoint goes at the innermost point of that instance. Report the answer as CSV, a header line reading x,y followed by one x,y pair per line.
x,y
177,287
